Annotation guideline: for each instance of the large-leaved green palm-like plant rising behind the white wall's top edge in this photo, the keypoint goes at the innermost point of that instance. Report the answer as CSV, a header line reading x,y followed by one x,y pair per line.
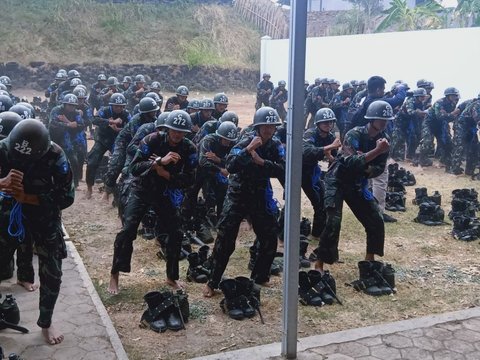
x,y
403,18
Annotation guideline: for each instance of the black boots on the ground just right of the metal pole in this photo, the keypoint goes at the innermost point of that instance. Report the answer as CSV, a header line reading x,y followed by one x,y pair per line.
x,y
316,289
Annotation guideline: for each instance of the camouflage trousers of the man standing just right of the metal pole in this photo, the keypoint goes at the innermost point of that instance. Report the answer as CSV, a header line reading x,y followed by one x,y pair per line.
x,y
313,188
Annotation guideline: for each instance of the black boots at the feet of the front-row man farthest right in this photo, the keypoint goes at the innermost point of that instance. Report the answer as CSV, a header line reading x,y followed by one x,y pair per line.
x,y
376,278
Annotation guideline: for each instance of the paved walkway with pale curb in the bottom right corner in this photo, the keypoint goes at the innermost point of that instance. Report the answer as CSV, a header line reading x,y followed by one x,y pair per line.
x,y
449,336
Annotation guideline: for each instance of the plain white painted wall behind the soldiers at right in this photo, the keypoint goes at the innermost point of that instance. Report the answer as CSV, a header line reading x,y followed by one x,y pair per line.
x,y
449,57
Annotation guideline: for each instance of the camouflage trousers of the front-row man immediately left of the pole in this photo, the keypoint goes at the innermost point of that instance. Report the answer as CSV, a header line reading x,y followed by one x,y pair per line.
x,y
238,206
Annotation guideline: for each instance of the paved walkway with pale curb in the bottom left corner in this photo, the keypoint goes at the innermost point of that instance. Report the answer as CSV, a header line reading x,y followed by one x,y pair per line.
x,y
79,314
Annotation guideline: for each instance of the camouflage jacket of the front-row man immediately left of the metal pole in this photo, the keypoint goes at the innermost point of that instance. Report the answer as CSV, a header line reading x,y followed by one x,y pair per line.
x,y
248,177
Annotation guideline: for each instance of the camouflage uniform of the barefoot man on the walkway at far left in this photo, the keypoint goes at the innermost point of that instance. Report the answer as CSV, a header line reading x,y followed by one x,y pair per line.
x,y
51,179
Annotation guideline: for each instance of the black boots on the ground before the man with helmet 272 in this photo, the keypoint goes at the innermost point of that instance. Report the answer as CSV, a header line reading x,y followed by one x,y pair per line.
x,y
166,310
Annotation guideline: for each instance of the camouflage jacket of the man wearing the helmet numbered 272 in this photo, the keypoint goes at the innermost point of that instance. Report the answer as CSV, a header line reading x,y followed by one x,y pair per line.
x,y
182,174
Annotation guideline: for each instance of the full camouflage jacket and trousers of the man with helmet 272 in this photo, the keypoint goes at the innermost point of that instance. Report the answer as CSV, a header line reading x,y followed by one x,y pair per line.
x,y
150,190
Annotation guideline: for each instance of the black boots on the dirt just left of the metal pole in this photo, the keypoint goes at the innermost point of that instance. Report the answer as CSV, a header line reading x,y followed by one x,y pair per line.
x,y
242,297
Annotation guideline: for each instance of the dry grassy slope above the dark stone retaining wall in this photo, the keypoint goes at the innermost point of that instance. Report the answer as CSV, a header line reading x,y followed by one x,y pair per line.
x,y
85,31
